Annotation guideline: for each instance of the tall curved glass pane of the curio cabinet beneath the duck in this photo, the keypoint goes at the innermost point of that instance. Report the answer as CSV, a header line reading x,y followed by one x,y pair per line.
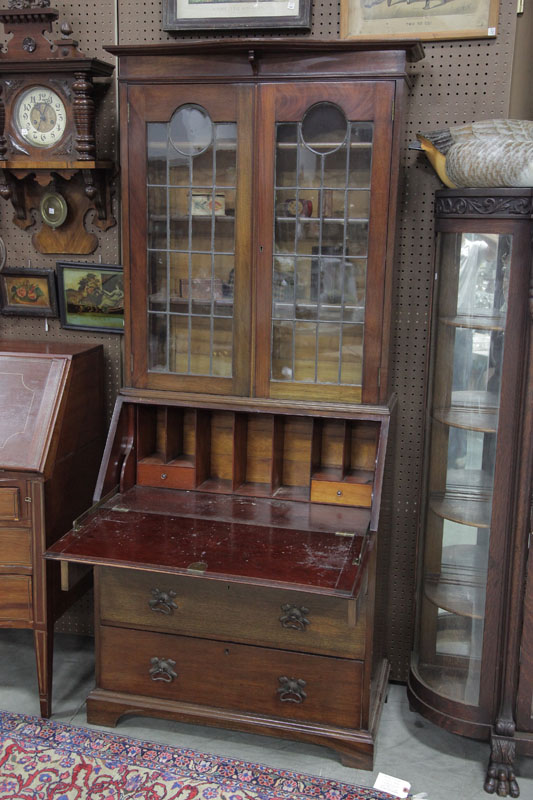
x,y
472,307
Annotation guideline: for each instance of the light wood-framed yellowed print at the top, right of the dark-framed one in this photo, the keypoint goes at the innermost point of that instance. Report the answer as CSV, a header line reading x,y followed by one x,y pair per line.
x,y
419,19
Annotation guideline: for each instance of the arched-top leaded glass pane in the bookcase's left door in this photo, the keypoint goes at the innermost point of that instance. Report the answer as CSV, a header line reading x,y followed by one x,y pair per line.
x,y
191,194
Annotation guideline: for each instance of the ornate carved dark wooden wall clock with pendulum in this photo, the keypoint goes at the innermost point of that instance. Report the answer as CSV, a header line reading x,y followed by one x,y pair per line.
x,y
48,154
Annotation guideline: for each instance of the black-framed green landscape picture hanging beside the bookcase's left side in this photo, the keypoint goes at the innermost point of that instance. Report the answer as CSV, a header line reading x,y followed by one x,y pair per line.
x,y
91,296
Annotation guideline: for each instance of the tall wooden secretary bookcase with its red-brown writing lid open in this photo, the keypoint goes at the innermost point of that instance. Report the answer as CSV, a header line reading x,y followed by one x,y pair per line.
x,y
235,540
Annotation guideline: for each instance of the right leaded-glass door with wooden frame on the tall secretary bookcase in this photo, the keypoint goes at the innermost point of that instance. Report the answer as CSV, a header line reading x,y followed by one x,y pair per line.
x,y
322,259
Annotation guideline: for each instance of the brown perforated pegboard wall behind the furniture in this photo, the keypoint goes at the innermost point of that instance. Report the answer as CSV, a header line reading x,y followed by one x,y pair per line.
x,y
457,82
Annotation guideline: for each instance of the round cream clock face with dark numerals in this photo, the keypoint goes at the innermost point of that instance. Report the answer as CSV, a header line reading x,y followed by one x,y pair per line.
x,y
40,117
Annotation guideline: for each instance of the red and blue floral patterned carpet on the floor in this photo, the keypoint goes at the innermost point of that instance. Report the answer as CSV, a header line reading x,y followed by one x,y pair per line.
x,y
44,760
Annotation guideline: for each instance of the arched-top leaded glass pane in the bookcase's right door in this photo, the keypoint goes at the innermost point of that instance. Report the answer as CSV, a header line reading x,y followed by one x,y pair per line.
x,y
322,202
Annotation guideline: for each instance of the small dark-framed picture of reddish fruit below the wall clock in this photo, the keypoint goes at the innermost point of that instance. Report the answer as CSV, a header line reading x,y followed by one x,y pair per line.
x,y
28,292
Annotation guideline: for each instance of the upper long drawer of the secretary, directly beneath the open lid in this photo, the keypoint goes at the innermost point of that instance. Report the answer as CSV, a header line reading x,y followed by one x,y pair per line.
x,y
216,609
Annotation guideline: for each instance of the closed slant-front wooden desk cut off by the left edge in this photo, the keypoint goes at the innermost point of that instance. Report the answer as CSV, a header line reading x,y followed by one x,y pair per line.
x,y
52,433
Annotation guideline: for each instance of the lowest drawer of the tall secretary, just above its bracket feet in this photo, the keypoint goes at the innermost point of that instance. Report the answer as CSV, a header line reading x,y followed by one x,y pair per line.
x,y
227,675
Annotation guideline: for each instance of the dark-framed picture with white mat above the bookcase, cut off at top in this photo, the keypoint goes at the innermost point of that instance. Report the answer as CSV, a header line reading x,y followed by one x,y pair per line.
x,y
215,14
